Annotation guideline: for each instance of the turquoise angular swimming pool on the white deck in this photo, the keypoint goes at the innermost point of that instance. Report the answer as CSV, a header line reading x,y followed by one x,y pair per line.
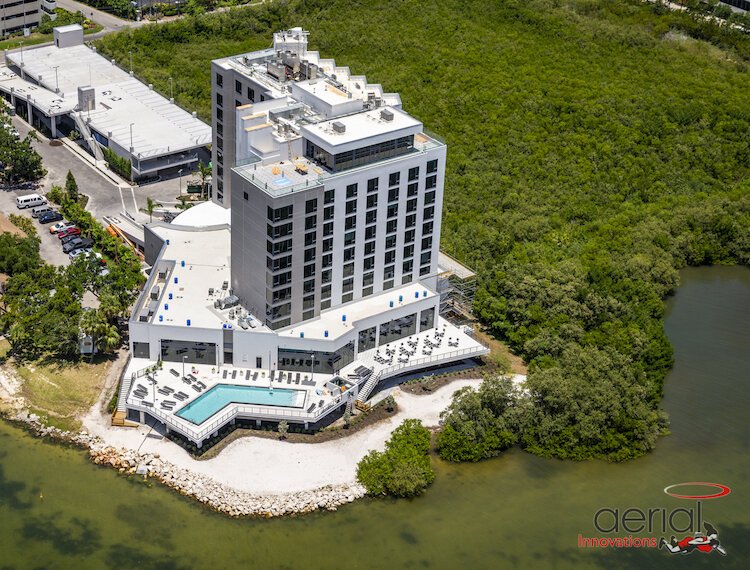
x,y
221,395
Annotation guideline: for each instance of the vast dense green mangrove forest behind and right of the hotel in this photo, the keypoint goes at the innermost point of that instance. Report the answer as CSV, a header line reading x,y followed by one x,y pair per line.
x,y
595,147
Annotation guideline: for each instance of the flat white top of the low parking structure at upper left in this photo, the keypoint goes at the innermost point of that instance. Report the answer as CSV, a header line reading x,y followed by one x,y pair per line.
x,y
120,100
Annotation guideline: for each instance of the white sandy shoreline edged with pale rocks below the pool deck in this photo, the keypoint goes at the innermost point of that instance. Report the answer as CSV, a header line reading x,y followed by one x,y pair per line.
x,y
252,476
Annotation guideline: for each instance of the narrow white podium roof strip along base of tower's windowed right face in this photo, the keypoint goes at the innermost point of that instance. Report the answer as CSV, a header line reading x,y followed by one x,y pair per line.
x,y
332,319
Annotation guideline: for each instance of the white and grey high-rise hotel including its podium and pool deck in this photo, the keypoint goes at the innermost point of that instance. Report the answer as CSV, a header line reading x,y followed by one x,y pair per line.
x,y
312,274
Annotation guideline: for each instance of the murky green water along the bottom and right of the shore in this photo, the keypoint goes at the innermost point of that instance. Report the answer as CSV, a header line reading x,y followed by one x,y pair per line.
x,y
516,511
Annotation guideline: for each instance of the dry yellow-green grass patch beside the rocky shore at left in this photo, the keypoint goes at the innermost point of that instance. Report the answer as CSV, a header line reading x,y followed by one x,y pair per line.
x,y
58,393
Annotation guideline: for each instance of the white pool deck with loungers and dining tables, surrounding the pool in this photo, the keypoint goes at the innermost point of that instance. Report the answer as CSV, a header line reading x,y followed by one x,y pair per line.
x,y
154,392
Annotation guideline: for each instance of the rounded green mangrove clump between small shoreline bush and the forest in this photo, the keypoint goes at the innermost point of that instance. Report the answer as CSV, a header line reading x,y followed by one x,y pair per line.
x,y
479,424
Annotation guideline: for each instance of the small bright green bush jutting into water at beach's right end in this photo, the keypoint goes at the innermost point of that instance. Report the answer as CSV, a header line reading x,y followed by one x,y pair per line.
x,y
403,469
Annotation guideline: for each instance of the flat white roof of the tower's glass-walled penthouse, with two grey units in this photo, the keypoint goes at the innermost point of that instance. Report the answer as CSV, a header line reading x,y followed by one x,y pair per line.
x,y
359,126
